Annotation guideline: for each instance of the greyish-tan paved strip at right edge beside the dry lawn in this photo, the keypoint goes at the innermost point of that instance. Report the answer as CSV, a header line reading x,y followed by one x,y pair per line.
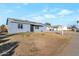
x,y
72,49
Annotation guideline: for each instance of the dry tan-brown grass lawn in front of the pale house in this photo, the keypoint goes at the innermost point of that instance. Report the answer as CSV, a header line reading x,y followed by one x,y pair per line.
x,y
45,43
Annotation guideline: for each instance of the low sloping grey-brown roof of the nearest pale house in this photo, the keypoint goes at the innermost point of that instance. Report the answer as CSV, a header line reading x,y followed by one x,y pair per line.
x,y
13,20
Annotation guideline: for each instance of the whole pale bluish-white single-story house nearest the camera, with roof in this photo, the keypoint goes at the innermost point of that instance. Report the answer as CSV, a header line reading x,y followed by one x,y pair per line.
x,y
16,26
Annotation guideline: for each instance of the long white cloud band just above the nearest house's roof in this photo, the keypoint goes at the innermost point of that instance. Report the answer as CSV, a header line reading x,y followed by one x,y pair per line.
x,y
39,18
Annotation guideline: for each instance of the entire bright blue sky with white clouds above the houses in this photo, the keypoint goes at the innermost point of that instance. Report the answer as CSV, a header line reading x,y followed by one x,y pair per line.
x,y
54,13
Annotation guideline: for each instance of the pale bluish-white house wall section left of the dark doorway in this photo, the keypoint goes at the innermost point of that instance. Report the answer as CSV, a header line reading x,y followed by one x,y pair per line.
x,y
13,28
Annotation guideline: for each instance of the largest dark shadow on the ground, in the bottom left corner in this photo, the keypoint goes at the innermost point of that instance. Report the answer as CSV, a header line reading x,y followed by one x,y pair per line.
x,y
8,48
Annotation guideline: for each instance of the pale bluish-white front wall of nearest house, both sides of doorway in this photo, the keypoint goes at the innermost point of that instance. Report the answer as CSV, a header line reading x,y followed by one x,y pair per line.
x,y
13,28
